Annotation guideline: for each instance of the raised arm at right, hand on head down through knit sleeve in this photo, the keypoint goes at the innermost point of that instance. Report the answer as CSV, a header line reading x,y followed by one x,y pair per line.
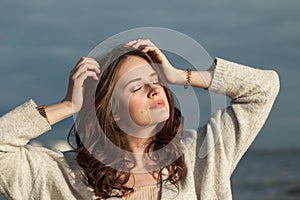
x,y
230,131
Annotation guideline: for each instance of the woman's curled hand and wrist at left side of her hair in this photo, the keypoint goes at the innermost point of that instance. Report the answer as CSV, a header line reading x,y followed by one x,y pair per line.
x,y
85,67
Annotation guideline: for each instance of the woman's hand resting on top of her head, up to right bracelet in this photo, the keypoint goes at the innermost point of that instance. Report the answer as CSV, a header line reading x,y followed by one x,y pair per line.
x,y
173,75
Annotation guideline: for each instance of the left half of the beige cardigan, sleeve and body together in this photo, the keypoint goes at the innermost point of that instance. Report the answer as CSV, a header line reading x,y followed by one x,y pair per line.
x,y
28,172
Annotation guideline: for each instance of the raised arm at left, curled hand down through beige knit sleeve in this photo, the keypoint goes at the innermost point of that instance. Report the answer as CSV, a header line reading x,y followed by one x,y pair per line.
x,y
24,123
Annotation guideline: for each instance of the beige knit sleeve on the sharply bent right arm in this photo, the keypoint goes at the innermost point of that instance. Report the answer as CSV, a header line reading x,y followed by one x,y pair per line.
x,y
230,132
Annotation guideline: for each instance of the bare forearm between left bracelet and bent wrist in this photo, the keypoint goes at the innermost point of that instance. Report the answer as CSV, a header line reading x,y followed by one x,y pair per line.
x,y
58,112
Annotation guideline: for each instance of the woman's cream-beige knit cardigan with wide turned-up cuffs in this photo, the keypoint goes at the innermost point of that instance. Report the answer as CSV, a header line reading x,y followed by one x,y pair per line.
x,y
28,172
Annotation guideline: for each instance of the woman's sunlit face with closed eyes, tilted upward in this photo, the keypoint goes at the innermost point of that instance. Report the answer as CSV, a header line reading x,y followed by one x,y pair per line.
x,y
138,99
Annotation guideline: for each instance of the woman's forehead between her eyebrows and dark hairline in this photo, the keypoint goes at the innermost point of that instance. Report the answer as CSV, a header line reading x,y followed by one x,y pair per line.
x,y
134,65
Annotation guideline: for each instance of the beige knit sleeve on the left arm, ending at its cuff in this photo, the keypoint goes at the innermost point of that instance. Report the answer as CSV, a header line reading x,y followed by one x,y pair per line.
x,y
21,125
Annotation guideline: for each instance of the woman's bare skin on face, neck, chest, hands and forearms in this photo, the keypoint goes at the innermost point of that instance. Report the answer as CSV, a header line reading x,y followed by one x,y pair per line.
x,y
142,121
